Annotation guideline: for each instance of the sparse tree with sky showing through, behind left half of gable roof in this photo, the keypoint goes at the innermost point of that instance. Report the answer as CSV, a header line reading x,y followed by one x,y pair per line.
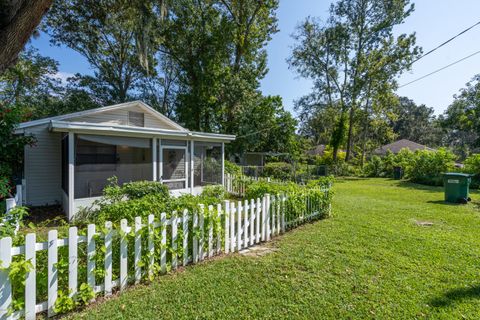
x,y
104,33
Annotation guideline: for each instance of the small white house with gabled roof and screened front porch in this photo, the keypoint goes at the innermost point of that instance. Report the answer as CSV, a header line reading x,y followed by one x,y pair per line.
x,y
75,155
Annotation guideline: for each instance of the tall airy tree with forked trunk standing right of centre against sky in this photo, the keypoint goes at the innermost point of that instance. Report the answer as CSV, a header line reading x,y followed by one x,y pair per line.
x,y
351,55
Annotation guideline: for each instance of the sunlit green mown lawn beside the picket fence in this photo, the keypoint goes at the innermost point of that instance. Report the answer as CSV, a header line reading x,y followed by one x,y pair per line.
x,y
371,260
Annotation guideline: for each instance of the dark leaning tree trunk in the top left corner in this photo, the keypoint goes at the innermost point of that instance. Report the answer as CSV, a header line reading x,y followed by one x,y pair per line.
x,y
22,17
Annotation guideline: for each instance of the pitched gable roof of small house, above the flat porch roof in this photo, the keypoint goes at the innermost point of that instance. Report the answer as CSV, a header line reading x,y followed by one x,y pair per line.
x,y
137,103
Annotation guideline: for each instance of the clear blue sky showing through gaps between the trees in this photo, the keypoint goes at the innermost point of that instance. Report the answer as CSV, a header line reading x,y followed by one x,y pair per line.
x,y
434,21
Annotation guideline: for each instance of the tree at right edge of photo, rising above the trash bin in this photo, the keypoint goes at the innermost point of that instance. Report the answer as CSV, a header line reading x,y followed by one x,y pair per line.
x,y
461,120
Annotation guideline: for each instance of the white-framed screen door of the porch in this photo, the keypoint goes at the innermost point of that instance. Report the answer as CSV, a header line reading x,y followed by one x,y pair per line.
x,y
174,167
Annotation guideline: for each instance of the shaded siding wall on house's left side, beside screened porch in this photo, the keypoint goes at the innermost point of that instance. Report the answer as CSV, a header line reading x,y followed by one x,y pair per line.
x,y
43,167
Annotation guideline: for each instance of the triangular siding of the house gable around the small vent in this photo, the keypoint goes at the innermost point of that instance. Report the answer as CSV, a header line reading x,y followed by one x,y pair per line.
x,y
120,117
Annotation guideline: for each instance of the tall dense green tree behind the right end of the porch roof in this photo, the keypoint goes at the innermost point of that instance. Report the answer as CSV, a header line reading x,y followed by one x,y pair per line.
x,y
219,48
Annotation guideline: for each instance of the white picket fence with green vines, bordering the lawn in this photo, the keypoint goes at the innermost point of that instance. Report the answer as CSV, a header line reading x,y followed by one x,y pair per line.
x,y
243,224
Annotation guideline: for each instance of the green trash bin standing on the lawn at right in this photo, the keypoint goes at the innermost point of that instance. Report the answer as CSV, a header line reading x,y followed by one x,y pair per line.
x,y
457,187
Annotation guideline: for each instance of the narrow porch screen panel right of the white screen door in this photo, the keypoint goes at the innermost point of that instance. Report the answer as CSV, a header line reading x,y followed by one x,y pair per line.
x,y
207,164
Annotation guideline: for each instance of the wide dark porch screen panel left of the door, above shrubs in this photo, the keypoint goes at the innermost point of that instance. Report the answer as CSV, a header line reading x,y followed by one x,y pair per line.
x,y
98,158
